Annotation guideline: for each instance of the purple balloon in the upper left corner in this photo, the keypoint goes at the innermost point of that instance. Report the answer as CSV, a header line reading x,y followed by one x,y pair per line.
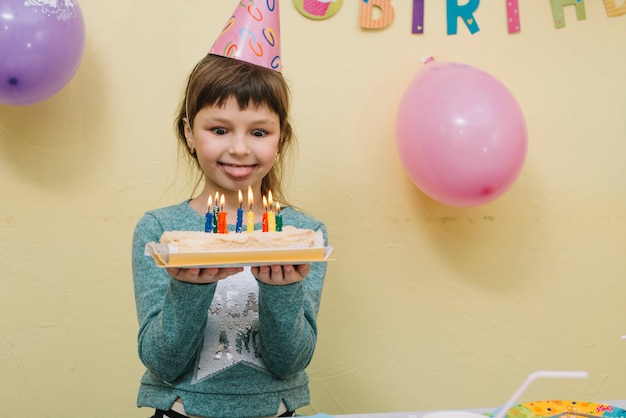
x,y
41,47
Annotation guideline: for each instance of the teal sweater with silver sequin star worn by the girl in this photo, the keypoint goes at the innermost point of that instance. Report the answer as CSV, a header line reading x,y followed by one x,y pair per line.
x,y
264,343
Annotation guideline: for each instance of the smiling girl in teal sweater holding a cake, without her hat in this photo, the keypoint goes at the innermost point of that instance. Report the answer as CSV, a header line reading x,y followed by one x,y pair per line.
x,y
227,342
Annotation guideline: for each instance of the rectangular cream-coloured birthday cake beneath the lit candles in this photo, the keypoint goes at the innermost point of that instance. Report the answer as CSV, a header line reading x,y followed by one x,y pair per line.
x,y
196,241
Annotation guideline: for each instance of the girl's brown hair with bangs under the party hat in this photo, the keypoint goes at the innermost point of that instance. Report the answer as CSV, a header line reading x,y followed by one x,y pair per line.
x,y
216,79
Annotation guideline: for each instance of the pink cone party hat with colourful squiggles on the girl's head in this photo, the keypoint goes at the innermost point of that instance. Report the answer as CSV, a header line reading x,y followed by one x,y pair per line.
x,y
252,34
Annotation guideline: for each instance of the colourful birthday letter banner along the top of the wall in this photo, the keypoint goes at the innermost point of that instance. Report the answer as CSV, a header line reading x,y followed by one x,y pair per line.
x,y
379,14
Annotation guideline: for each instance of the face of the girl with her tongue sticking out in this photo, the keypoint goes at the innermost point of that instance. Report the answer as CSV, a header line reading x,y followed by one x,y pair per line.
x,y
235,148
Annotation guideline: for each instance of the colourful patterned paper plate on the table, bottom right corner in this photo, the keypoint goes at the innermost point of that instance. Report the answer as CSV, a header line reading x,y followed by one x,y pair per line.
x,y
563,408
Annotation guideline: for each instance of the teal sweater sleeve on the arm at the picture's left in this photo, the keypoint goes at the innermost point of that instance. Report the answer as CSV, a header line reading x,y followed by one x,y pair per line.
x,y
172,314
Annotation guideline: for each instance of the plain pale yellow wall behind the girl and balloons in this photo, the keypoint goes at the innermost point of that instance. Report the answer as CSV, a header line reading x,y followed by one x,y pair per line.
x,y
426,305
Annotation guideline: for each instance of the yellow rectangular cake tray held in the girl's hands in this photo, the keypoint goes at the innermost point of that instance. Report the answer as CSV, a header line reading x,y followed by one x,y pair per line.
x,y
238,258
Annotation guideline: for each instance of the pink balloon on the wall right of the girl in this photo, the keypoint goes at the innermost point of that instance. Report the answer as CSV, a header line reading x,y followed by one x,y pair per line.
x,y
461,134
